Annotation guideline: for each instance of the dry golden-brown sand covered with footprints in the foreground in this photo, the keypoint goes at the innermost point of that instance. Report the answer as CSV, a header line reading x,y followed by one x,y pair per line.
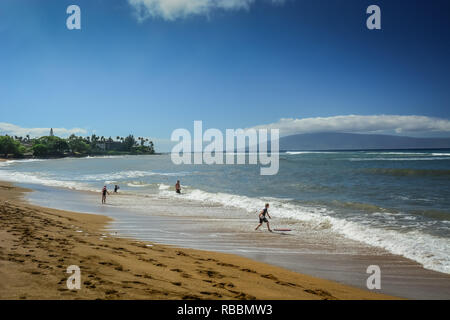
x,y
38,244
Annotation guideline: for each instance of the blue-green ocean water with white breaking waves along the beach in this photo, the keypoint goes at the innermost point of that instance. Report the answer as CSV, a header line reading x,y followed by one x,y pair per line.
x,y
394,200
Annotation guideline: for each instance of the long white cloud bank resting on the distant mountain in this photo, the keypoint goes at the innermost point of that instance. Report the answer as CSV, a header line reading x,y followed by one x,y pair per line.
x,y
360,124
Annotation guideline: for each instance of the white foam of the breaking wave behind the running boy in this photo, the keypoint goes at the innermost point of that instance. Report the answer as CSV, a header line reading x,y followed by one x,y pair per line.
x,y
430,251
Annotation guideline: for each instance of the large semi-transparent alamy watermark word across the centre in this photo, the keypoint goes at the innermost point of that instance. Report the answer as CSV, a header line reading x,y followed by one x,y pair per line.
x,y
234,150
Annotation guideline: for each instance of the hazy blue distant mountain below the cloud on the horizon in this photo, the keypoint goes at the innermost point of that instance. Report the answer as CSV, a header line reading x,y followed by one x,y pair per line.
x,y
352,141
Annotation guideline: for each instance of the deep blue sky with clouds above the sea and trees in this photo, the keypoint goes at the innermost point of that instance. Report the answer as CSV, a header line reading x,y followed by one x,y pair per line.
x,y
148,67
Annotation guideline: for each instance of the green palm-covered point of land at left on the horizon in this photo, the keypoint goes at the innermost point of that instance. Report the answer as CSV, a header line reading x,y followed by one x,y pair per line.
x,y
52,146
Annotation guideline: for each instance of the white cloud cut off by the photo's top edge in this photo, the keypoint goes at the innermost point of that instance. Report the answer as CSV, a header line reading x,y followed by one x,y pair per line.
x,y
176,9
